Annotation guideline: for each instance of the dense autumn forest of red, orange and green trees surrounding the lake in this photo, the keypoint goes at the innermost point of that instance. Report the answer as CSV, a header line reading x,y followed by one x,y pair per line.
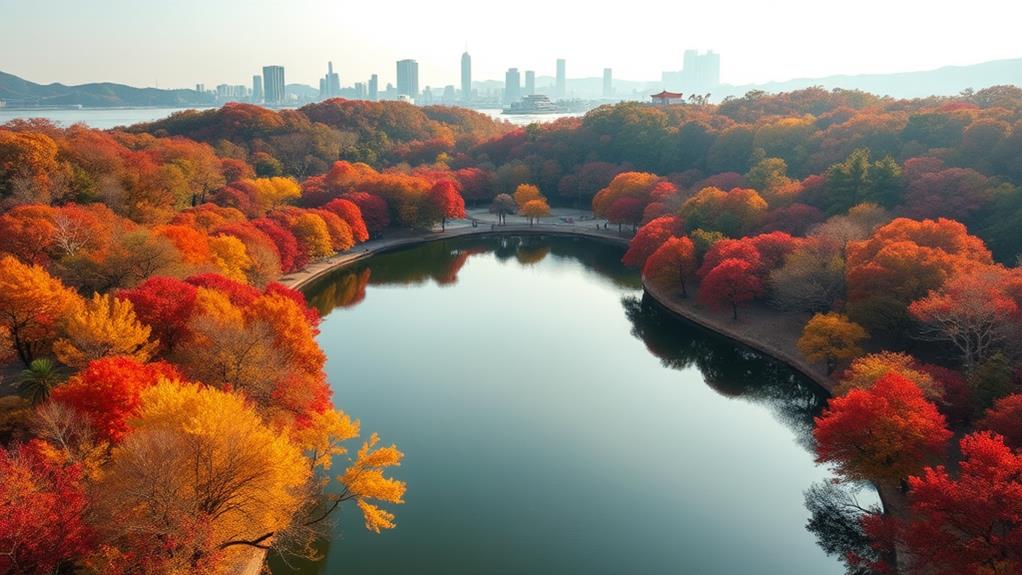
x,y
173,411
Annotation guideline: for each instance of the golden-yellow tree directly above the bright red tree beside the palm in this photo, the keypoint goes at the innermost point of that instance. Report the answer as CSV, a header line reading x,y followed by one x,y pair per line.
x,y
105,326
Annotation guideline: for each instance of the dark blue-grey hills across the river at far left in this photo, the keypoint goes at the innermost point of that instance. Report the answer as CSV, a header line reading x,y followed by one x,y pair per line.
x,y
19,92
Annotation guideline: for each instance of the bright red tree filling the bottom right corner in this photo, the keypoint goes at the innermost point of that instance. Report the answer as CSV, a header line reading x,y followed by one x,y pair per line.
x,y
968,524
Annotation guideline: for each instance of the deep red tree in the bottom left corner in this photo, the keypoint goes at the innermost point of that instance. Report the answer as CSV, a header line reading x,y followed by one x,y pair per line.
x,y
42,513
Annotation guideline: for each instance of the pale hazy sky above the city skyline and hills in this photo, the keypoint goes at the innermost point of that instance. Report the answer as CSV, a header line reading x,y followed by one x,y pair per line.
x,y
180,43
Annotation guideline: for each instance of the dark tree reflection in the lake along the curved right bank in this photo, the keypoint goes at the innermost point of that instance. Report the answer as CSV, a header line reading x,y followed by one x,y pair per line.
x,y
729,368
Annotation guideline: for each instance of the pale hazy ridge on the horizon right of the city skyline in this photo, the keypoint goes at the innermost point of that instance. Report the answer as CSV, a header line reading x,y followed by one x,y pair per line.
x,y
948,81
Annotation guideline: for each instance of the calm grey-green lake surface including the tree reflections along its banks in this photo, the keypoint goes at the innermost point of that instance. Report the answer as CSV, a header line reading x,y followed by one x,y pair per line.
x,y
555,423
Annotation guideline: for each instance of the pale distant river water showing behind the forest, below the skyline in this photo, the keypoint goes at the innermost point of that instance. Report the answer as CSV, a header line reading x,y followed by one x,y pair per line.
x,y
106,119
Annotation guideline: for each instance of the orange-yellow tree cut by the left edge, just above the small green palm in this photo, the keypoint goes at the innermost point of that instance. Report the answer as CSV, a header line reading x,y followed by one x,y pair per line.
x,y
32,306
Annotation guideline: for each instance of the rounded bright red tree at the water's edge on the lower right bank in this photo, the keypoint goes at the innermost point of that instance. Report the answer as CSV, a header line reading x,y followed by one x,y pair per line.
x,y
886,434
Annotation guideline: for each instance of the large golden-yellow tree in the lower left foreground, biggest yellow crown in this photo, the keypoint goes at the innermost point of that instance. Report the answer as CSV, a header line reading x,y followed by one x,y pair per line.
x,y
200,476
